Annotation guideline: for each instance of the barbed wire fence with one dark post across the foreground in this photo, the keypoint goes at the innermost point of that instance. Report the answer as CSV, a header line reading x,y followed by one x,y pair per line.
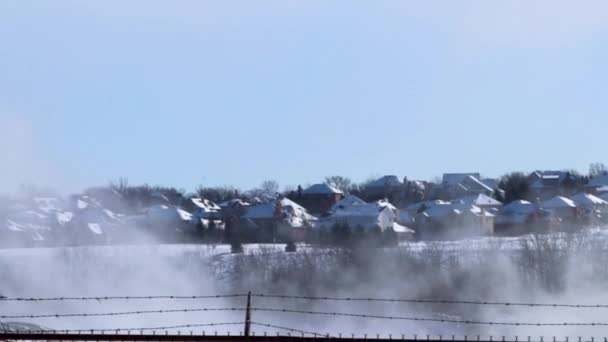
x,y
282,310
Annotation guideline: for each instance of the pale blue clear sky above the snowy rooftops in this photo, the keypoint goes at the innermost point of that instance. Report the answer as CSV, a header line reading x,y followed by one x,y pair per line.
x,y
187,93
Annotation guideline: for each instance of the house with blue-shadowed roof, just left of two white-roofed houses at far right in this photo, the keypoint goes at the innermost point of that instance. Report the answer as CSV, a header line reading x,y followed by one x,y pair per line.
x,y
519,217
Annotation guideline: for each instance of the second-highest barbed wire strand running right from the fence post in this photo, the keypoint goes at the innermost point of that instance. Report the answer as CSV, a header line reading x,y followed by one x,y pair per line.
x,y
423,319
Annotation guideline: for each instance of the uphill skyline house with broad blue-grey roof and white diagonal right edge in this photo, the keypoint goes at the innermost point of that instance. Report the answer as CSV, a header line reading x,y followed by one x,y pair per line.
x,y
455,185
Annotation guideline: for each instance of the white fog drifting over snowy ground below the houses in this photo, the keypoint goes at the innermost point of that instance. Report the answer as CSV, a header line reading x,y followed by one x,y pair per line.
x,y
556,268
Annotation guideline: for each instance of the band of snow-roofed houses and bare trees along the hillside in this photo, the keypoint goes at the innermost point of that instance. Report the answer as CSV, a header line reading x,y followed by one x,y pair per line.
x,y
460,205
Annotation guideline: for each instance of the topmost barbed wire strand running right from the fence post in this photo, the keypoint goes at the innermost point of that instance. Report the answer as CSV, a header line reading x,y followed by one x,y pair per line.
x,y
432,301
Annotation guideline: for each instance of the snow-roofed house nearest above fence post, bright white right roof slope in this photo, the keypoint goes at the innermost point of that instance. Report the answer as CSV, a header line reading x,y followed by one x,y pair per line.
x,y
280,219
